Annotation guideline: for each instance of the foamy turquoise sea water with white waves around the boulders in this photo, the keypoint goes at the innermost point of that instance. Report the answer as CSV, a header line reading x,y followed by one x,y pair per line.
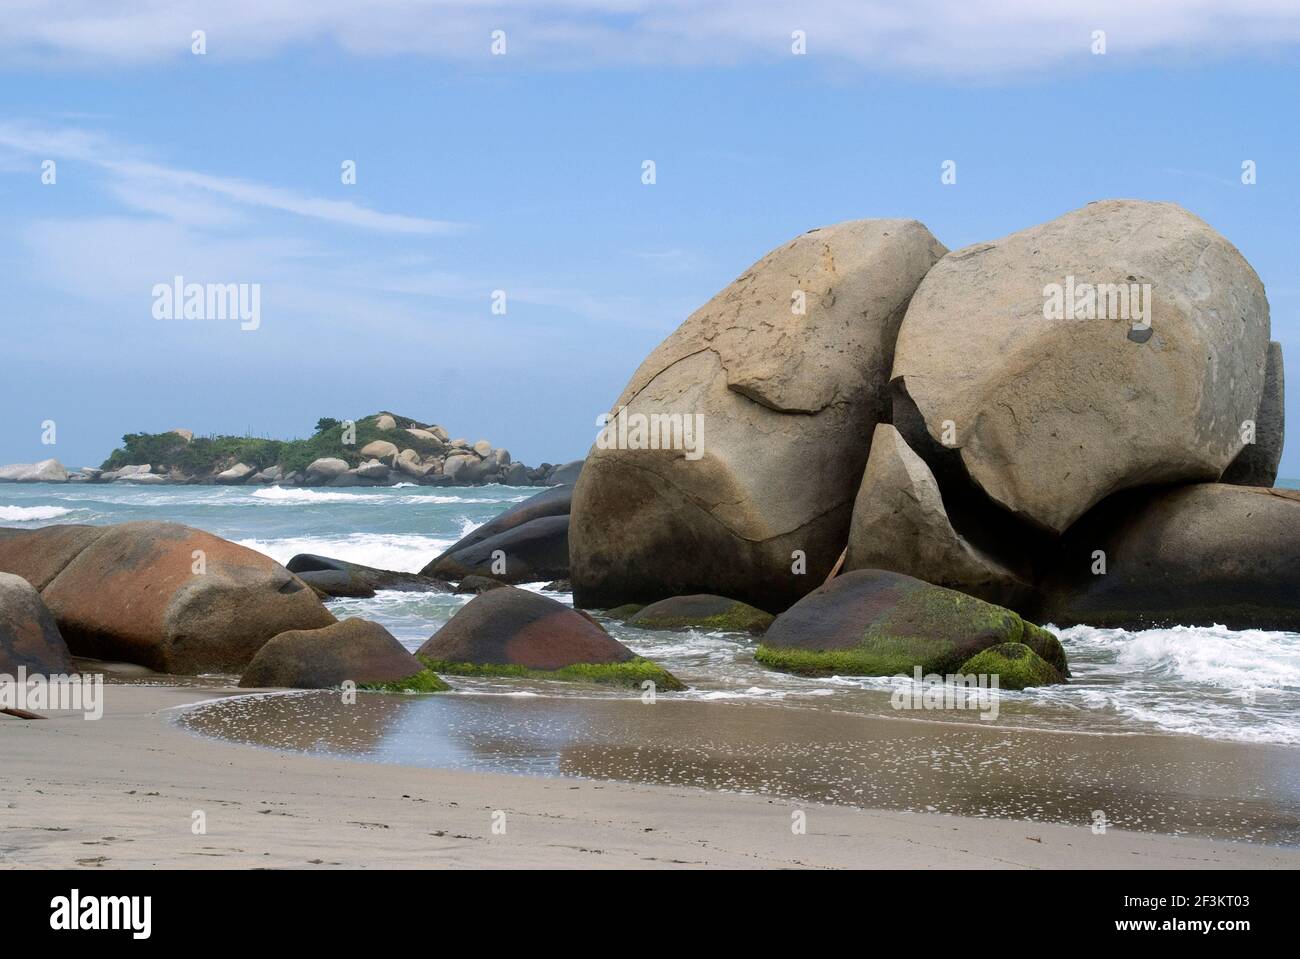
x,y
1210,683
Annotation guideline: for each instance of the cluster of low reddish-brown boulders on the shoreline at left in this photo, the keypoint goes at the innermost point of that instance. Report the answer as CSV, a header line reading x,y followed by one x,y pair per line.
x,y
181,601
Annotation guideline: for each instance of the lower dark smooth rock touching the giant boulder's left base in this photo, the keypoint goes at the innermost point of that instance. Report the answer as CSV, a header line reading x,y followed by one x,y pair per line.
x,y
534,552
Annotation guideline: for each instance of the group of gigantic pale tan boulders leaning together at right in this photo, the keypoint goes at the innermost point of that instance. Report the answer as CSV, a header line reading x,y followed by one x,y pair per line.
x,y
1081,423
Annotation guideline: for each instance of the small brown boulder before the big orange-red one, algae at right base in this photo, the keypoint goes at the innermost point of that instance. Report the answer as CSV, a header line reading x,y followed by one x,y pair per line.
x,y
354,650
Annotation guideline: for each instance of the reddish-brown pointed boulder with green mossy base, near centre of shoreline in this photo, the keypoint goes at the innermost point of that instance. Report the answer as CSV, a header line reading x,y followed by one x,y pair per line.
x,y
513,632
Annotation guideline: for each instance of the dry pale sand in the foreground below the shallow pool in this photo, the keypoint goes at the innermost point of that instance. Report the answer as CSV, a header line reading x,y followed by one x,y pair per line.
x,y
123,792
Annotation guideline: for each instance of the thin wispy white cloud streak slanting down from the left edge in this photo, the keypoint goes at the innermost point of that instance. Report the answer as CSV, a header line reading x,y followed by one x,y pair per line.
x,y
158,188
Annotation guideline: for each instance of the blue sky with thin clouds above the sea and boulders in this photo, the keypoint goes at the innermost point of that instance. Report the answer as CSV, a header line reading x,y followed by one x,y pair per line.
x,y
522,172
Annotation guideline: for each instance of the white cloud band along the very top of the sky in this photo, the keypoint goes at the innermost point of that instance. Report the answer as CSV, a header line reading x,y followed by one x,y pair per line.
x,y
930,37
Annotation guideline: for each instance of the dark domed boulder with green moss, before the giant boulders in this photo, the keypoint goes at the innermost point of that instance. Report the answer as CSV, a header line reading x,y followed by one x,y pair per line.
x,y
877,623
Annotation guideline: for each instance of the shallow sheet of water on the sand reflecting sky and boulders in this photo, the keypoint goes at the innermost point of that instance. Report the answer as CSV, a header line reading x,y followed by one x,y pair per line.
x,y
1178,786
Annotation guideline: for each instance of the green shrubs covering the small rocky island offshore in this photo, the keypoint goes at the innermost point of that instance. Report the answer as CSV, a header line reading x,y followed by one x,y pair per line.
x,y
210,455
